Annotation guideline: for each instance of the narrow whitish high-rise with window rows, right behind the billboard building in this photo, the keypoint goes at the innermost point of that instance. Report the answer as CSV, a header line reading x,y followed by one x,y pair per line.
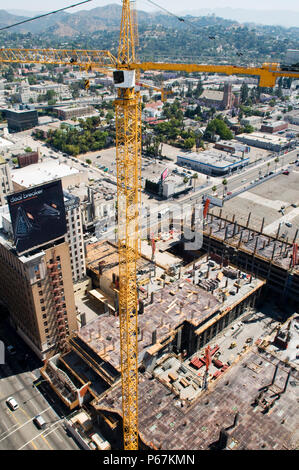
x,y
74,235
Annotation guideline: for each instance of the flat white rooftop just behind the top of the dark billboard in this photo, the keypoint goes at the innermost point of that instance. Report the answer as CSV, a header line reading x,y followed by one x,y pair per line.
x,y
41,172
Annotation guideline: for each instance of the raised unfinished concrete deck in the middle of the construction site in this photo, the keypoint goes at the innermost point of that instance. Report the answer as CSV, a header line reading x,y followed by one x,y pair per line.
x,y
180,302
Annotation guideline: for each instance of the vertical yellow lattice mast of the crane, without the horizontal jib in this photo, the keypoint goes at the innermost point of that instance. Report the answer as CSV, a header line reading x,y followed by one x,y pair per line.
x,y
128,161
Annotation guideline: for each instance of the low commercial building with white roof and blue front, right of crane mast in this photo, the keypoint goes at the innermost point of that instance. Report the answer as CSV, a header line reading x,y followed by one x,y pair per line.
x,y
212,162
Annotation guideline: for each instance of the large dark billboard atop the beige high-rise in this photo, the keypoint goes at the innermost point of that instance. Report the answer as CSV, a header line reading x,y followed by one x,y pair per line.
x,y
37,215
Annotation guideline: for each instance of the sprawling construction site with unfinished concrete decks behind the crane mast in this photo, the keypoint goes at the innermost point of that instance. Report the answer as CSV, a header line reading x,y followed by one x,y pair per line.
x,y
207,346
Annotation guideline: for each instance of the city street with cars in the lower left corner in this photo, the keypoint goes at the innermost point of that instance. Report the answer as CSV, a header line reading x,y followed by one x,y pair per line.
x,y
17,430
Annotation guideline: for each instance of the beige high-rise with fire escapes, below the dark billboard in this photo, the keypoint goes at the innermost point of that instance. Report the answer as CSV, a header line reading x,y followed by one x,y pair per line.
x,y
38,292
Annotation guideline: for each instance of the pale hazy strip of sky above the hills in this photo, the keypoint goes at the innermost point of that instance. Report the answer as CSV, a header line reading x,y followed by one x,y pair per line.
x,y
172,5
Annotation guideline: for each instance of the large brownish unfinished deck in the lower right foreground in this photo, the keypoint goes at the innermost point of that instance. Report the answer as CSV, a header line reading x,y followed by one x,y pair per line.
x,y
166,422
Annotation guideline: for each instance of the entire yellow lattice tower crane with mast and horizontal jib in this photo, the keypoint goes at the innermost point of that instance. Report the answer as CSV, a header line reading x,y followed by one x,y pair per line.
x,y
128,159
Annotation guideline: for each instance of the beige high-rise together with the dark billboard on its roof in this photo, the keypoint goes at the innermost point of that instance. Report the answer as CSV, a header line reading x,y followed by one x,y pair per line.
x,y
35,269
